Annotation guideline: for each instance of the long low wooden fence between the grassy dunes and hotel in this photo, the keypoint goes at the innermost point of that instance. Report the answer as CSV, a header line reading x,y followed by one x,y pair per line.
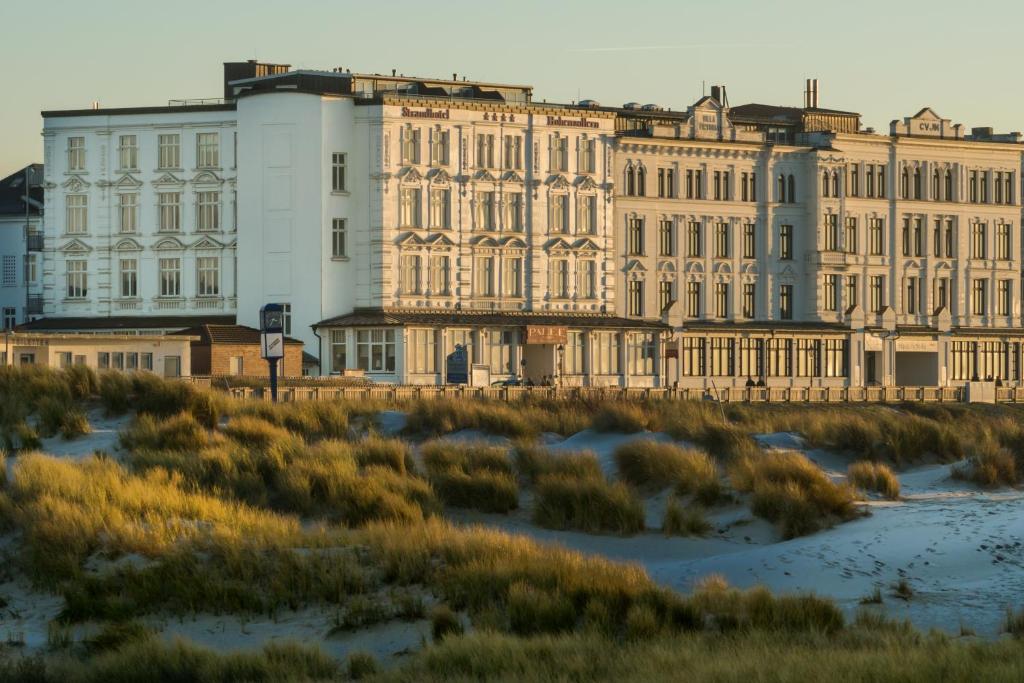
x,y
395,394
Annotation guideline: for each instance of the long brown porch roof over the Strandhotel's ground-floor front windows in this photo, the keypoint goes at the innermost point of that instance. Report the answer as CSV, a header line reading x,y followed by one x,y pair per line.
x,y
382,318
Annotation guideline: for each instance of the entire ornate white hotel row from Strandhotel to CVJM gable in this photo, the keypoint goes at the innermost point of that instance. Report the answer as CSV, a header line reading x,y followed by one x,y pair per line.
x,y
406,221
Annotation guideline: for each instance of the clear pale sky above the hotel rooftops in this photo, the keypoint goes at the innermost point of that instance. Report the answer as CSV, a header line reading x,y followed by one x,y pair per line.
x,y
885,59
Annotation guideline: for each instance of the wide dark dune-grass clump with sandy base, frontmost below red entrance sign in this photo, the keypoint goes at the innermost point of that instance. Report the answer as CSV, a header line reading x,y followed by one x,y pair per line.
x,y
588,505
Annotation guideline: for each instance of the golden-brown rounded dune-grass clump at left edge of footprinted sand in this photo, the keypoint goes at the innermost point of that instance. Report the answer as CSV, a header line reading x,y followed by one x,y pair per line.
x,y
791,491
